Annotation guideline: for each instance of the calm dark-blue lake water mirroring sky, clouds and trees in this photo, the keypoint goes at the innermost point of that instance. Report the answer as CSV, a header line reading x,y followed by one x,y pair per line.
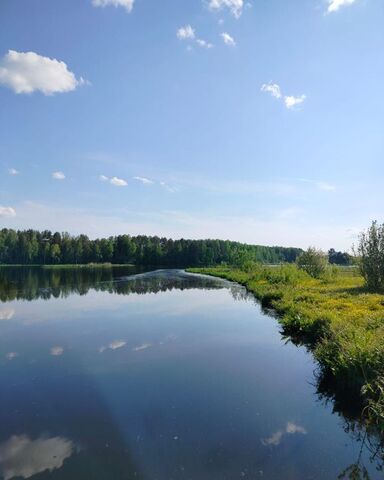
x,y
158,376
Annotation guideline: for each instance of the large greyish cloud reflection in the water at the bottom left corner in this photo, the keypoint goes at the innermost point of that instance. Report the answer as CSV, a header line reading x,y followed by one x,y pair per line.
x,y
22,457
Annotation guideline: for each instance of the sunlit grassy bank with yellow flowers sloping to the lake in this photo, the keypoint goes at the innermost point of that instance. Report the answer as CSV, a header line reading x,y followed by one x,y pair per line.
x,y
335,316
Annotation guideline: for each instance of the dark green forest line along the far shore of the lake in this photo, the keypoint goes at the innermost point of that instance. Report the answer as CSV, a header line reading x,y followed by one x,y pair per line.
x,y
31,247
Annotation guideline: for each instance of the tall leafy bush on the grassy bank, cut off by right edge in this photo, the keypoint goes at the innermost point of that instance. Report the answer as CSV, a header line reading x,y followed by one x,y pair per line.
x,y
371,253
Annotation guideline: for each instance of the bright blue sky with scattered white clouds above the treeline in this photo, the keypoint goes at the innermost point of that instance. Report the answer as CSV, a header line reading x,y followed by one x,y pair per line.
x,y
260,121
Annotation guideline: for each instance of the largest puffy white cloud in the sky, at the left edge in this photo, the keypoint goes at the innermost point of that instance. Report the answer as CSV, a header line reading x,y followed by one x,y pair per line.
x,y
27,72
